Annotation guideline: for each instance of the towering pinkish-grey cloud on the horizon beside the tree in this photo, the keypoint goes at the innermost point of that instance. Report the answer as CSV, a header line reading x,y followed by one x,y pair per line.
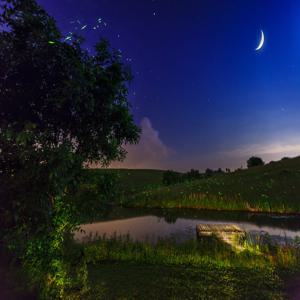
x,y
149,153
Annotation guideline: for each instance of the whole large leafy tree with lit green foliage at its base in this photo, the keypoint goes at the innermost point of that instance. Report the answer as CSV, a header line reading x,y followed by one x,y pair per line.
x,y
59,108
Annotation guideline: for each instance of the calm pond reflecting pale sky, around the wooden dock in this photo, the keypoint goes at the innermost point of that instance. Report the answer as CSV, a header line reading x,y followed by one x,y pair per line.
x,y
180,224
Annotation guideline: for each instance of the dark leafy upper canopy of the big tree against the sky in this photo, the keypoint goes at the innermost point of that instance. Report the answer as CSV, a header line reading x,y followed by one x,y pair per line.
x,y
59,90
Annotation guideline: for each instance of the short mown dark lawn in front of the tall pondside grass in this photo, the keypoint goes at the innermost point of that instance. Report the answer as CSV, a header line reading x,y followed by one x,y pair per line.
x,y
130,281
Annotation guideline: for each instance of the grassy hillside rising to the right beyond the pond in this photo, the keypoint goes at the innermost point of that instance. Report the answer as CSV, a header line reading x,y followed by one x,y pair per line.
x,y
271,188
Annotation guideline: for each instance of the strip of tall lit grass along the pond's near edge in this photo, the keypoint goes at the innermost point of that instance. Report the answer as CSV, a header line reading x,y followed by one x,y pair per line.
x,y
208,251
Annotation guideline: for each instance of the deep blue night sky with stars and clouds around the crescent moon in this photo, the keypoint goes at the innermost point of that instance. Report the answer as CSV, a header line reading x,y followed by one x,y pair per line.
x,y
201,93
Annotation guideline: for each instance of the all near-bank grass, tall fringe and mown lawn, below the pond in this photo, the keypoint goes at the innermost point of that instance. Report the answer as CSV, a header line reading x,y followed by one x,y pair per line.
x,y
210,269
